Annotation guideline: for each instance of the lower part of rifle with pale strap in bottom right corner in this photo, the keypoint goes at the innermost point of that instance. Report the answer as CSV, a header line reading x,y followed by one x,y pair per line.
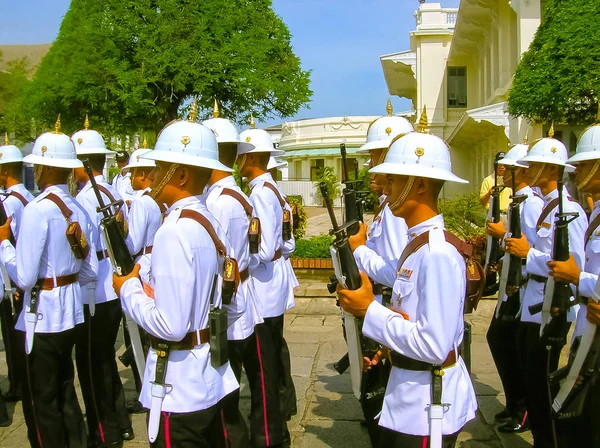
x,y
581,373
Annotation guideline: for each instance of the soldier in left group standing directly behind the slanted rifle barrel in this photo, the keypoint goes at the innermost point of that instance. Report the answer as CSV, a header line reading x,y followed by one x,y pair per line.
x,y
101,387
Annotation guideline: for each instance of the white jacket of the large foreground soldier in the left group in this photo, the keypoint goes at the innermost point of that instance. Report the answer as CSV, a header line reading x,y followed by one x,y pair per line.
x,y
184,265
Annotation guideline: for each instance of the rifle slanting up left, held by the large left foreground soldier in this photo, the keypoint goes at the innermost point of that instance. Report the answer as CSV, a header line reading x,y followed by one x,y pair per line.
x,y
118,253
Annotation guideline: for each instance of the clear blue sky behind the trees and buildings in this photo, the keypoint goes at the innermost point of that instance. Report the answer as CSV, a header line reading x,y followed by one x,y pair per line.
x,y
340,41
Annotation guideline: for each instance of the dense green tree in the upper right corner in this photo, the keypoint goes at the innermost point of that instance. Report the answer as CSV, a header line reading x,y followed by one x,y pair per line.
x,y
558,78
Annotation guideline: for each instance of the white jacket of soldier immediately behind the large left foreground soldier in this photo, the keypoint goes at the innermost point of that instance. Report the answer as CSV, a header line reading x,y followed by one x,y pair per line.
x,y
233,219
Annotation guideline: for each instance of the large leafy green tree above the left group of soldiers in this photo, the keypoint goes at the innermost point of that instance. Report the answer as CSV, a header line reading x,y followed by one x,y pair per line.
x,y
132,65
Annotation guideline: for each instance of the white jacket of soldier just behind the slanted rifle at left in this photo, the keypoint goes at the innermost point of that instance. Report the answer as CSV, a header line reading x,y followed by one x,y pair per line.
x,y
102,289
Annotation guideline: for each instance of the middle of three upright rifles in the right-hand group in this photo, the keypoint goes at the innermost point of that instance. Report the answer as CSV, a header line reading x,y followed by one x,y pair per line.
x,y
511,277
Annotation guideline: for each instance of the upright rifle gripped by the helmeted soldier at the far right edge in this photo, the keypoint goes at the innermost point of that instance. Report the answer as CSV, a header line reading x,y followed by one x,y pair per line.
x,y
557,296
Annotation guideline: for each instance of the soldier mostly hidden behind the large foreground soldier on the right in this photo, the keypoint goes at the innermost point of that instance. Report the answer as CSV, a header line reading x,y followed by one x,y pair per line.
x,y
377,255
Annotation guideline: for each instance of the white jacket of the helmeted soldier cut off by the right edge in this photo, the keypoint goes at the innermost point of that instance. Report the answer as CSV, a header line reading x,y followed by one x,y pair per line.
x,y
589,277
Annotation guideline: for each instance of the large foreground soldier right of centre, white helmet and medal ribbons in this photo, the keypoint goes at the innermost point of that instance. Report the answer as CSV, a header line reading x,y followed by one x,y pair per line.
x,y
424,326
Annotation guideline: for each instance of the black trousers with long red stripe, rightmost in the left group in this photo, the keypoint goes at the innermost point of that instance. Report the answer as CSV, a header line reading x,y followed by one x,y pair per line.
x,y
257,354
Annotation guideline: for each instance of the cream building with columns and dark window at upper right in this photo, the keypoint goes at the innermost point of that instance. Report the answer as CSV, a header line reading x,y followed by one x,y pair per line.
x,y
461,65
